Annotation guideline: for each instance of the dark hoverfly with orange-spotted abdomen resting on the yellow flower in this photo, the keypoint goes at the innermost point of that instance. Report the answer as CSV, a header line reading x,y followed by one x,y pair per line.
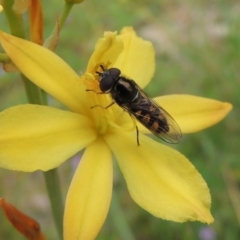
x,y
129,96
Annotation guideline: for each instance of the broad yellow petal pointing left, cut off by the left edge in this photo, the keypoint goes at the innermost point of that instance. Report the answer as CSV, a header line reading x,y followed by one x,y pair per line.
x,y
36,137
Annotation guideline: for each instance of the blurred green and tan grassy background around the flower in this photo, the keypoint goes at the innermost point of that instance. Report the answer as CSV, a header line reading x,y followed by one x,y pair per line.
x,y
197,47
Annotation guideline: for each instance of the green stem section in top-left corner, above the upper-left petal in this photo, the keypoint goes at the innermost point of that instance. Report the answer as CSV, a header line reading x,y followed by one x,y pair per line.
x,y
15,20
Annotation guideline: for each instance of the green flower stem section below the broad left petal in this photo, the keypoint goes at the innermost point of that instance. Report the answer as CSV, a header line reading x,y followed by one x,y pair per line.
x,y
53,188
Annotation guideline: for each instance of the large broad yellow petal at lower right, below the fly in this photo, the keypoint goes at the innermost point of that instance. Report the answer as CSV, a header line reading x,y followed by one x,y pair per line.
x,y
160,179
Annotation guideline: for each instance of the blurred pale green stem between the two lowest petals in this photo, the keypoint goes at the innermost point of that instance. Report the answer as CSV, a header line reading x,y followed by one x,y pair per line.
x,y
119,219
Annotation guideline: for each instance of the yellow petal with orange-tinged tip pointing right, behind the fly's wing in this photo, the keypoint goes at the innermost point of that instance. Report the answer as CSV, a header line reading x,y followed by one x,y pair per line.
x,y
193,113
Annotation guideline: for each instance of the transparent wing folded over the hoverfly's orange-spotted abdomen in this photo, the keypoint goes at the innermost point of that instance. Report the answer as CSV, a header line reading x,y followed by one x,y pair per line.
x,y
154,118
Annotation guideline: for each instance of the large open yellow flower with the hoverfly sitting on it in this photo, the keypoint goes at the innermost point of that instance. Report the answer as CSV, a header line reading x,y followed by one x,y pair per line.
x,y
160,179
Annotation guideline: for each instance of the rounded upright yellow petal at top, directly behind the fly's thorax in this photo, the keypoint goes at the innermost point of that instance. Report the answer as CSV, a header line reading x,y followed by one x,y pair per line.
x,y
137,59
